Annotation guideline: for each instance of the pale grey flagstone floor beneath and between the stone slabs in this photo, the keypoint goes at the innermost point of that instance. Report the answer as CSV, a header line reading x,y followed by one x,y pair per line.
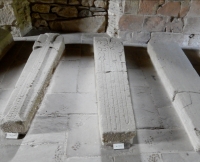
x,y
65,128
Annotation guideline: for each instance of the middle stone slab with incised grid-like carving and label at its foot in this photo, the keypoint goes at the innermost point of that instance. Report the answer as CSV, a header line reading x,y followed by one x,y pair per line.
x,y
116,118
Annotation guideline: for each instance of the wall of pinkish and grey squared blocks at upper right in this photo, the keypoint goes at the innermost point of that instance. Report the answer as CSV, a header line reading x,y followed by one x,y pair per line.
x,y
137,20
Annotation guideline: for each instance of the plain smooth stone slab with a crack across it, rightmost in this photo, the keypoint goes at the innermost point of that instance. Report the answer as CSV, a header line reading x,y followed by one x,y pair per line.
x,y
182,84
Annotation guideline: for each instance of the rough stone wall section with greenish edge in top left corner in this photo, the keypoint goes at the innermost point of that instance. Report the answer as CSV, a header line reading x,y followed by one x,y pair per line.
x,y
15,16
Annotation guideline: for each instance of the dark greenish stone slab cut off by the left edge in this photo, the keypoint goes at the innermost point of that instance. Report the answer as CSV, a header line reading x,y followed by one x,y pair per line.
x,y
6,42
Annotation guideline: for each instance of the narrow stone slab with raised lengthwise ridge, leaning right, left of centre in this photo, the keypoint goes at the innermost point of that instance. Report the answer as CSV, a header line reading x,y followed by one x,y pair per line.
x,y
30,87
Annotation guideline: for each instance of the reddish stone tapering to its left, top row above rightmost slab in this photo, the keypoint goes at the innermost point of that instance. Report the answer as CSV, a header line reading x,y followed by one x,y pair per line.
x,y
170,9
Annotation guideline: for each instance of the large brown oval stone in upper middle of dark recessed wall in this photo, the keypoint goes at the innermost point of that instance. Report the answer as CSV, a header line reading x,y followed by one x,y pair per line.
x,y
68,12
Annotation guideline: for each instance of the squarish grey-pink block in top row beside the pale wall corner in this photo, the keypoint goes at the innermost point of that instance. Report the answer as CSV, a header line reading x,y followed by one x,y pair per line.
x,y
130,6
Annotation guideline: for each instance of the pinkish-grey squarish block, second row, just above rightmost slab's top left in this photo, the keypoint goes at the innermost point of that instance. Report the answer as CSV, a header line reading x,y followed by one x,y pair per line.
x,y
155,23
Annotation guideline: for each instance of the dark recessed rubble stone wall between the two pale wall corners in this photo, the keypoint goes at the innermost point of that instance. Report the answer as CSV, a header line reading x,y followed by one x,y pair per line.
x,y
69,15
